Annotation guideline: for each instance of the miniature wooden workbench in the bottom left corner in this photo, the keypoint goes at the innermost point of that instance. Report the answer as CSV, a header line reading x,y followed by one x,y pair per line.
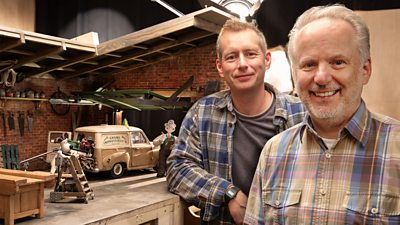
x,y
22,194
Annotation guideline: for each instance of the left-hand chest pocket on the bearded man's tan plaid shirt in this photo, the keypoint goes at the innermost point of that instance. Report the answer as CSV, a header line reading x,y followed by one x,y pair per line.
x,y
281,206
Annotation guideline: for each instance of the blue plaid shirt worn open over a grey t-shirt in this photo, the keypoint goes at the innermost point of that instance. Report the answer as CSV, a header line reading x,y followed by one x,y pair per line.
x,y
199,167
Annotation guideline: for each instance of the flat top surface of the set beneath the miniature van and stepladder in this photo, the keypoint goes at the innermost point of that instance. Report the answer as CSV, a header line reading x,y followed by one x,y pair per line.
x,y
137,189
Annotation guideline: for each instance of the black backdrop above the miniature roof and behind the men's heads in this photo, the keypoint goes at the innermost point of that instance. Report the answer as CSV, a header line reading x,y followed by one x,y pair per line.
x,y
114,18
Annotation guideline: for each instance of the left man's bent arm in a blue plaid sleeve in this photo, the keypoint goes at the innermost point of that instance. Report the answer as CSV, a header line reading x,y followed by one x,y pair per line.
x,y
187,175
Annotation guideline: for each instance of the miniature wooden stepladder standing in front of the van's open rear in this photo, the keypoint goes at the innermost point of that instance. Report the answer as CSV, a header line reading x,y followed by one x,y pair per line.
x,y
71,180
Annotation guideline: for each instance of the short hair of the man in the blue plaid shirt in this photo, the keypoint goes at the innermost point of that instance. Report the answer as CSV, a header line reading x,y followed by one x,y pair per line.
x,y
236,25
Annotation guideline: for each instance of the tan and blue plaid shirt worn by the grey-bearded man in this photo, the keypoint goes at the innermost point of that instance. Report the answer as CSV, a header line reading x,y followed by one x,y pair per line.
x,y
300,181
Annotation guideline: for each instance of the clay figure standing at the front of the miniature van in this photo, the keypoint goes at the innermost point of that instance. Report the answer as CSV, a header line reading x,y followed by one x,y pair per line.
x,y
167,142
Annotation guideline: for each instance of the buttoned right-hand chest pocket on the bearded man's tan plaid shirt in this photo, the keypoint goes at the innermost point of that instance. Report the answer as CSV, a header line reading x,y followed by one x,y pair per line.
x,y
372,208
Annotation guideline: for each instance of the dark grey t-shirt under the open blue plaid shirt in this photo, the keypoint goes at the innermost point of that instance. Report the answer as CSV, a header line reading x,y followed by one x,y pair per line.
x,y
249,137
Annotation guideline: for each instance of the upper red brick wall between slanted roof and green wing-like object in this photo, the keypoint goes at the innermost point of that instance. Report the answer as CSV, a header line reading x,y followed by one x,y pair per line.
x,y
173,72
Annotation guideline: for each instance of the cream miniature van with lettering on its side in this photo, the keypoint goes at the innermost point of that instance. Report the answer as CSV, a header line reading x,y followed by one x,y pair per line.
x,y
115,148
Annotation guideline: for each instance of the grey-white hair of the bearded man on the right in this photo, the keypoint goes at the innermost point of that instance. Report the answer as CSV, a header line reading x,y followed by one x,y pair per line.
x,y
336,11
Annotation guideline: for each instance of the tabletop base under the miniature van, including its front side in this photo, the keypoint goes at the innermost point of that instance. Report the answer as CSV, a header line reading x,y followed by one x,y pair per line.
x,y
132,199
